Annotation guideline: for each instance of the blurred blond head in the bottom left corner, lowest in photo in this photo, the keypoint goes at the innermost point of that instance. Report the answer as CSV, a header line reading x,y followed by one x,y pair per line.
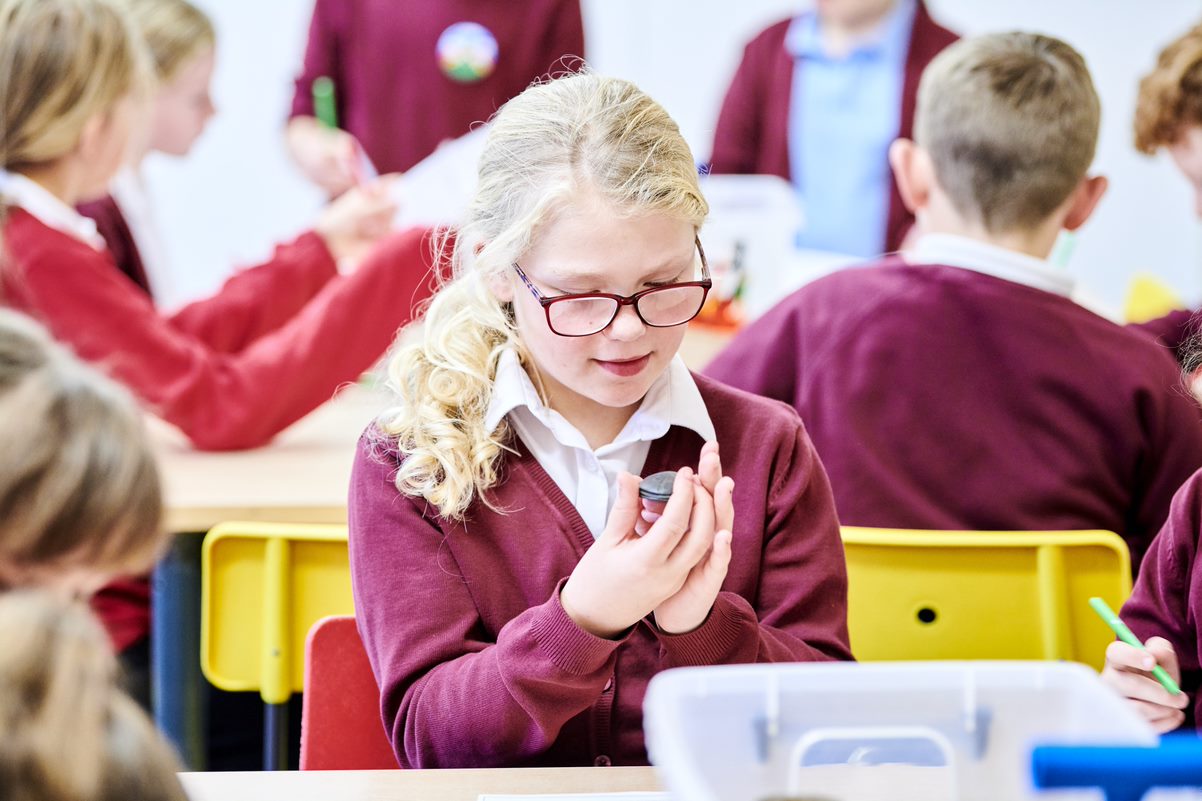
x,y
67,733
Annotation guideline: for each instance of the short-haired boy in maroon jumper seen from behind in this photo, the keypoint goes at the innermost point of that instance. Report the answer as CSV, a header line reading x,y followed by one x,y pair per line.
x,y
960,388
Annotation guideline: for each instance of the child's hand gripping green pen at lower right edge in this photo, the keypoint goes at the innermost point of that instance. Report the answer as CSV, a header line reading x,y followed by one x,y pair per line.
x,y
1129,672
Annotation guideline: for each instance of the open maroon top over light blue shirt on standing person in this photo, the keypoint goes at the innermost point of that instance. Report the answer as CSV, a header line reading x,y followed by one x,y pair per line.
x,y
752,137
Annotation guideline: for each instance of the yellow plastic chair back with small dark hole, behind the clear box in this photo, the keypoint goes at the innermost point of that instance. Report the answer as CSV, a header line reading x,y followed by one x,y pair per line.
x,y
923,595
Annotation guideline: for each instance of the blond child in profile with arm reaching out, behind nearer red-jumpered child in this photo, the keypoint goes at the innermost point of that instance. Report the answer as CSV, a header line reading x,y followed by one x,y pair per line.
x,y
183,45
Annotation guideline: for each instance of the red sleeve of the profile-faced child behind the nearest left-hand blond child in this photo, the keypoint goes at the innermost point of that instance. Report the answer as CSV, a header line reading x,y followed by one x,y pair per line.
x,y
260,300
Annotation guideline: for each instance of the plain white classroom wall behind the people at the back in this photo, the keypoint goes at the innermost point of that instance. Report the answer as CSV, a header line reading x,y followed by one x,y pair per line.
x,y
237,193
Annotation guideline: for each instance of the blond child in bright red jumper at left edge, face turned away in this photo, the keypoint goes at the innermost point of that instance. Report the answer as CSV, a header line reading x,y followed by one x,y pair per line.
x,y
231,373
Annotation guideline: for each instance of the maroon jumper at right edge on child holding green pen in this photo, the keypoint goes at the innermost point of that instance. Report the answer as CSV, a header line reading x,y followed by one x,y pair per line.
x,y
1168,597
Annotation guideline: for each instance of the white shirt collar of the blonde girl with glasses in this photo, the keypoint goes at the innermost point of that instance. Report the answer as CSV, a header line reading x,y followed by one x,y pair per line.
x,y
674,400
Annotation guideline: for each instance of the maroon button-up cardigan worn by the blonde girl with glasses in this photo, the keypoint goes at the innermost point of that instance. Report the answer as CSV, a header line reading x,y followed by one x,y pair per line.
x,y
480,667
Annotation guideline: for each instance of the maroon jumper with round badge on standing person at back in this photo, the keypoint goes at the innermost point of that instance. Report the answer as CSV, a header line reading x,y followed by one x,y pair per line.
x,y
391,92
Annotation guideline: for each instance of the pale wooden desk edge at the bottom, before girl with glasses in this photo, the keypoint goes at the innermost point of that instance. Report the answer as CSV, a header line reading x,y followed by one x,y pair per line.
x,y
414,786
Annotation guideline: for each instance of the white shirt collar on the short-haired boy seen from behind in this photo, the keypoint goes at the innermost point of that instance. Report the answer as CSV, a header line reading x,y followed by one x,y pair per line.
x,y
992,260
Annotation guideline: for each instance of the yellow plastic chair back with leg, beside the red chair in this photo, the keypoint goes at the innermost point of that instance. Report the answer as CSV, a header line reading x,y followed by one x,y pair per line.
x,y
263,589
